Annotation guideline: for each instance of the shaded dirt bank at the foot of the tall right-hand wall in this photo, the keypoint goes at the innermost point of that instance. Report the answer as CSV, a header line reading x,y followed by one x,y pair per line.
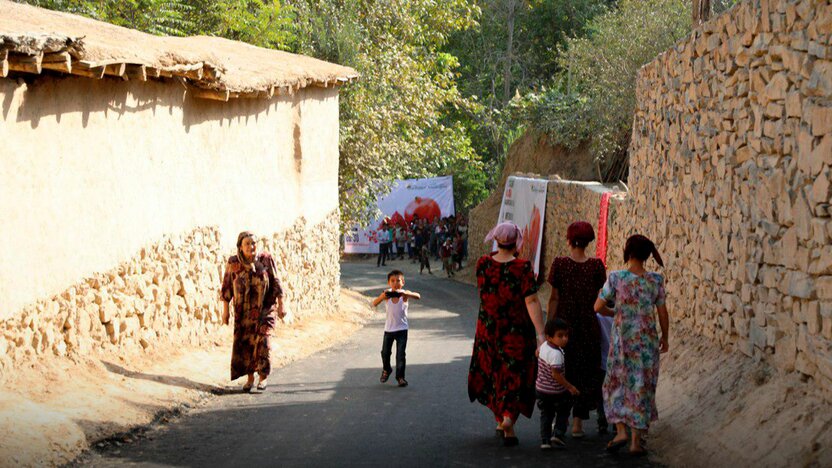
x,y
717,407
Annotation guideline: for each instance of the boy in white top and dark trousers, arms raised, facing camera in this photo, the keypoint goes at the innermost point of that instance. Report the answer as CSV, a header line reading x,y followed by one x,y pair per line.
x,y
395,329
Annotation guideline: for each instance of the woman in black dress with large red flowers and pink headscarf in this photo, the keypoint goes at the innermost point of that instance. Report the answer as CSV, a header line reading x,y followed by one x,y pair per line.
x,y
509,330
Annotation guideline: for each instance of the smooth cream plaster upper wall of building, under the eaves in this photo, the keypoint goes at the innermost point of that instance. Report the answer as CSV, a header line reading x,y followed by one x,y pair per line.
x,y
91,171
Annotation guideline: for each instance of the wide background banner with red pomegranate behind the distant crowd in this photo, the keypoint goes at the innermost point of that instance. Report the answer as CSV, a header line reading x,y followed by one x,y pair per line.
x,y
411,198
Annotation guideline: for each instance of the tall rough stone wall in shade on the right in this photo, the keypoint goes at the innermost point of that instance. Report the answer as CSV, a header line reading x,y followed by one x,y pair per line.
x,y
731,168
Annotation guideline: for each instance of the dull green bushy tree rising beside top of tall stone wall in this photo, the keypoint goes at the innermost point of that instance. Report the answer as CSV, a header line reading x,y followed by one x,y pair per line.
x,y
594,94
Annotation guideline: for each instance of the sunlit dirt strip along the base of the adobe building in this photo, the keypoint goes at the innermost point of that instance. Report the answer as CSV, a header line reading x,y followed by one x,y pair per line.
x,y
53,412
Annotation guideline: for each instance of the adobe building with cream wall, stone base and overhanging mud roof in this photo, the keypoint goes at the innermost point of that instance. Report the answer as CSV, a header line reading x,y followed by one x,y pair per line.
x,y
129,164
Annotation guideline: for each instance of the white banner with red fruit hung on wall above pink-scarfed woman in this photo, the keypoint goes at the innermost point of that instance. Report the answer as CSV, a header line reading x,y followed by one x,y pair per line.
x,y
524,204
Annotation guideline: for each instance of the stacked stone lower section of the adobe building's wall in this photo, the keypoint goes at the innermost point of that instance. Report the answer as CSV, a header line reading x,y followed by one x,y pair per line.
x,y
168,291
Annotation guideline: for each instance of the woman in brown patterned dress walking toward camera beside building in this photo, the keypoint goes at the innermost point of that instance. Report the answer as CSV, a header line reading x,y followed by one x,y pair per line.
x,y
251,283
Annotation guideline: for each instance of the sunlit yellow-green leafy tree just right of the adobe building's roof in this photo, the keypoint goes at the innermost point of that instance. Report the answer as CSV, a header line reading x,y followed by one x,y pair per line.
x,y
393,120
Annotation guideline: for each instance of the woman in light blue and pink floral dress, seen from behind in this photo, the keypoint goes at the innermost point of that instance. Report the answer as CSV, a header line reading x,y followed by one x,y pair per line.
x,y
633,362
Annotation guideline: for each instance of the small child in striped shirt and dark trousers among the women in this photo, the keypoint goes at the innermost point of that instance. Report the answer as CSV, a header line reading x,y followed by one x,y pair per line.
x,y
554,392
